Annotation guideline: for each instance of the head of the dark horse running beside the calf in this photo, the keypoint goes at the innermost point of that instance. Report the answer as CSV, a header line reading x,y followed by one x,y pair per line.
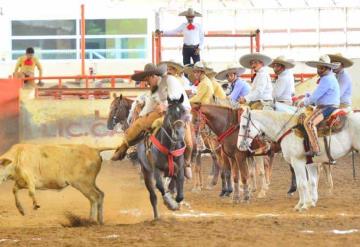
x,y
175,119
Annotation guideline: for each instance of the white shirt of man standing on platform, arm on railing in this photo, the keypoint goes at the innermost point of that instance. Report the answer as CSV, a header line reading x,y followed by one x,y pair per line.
x,y
191,37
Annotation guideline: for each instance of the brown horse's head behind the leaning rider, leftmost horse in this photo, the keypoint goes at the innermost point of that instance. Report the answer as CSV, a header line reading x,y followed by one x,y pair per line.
x,y
119,111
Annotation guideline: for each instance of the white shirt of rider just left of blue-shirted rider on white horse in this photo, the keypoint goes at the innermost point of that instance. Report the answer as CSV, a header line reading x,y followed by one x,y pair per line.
x,y
284,86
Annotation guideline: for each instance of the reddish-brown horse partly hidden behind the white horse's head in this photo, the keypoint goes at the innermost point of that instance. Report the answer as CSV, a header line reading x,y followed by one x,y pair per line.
x,y
223,121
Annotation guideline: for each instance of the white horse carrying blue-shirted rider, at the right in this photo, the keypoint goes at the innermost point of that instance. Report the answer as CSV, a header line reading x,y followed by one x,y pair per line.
x,y
275,124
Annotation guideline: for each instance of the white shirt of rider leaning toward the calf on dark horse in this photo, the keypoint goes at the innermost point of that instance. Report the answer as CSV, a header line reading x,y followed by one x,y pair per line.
x,y
169,86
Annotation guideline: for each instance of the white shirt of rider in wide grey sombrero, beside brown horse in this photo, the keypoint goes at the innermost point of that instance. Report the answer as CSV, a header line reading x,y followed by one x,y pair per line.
x,y
261,88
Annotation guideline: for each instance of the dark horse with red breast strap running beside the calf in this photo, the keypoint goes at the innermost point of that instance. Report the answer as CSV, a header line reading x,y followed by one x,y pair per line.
x,y
154,162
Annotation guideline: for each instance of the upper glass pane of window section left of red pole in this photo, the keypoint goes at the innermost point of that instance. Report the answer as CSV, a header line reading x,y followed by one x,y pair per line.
x,y
43,27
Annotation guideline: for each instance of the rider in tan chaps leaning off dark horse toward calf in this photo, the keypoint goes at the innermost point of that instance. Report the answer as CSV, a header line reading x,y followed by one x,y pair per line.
x,y
161,86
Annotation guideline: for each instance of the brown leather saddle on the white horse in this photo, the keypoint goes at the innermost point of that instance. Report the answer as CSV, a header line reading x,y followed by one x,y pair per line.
x,y
330,125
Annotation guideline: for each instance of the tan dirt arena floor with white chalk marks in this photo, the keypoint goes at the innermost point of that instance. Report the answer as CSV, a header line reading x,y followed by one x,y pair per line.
x,y
206,221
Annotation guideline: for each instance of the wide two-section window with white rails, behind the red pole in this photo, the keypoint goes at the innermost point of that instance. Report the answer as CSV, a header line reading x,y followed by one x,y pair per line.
x,y
59,39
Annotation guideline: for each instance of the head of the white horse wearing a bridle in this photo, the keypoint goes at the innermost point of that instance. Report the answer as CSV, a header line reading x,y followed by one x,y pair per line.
x,y
248,130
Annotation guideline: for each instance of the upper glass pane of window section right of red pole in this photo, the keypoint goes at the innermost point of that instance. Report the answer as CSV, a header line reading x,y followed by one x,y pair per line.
x,y
116,26
